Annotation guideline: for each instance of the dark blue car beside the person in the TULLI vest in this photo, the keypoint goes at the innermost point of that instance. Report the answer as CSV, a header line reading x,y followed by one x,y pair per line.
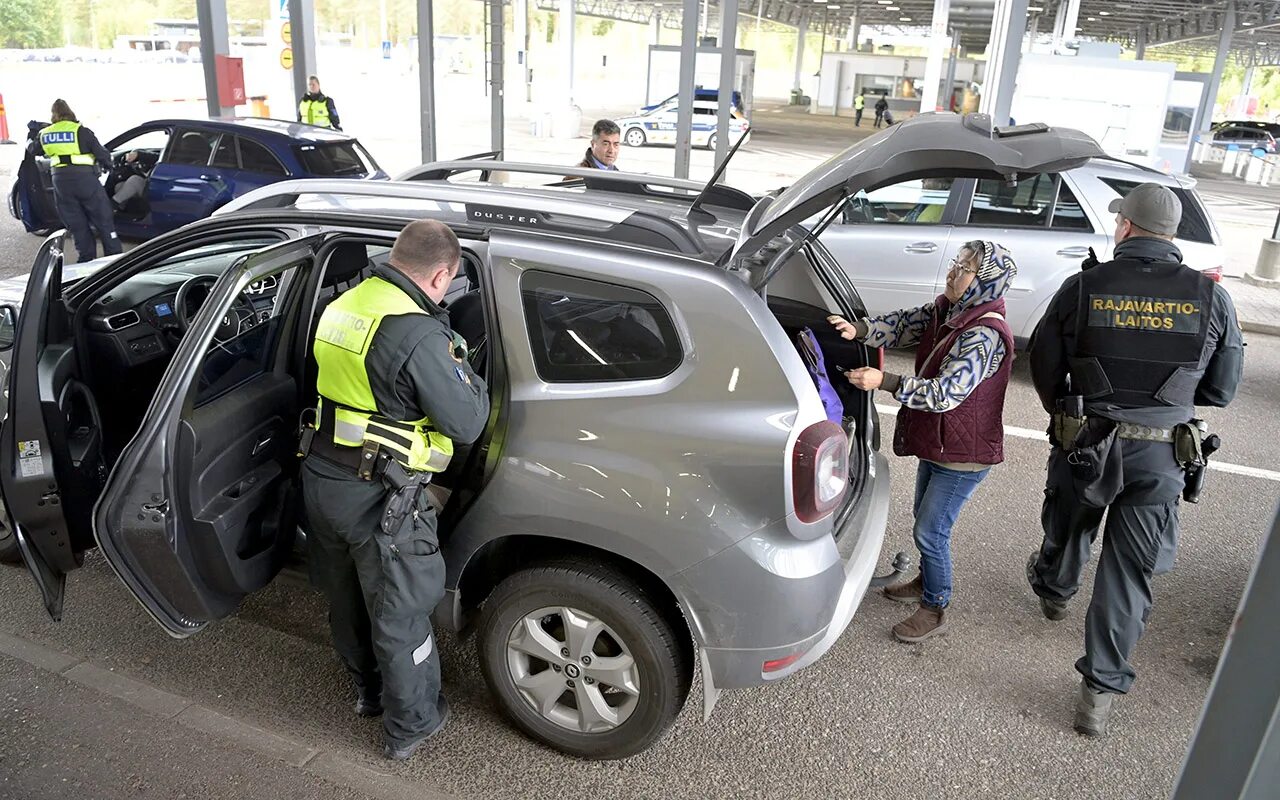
x,y
194,167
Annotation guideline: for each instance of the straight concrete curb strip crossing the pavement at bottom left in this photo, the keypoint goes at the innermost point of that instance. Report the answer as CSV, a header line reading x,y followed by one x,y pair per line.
x,y
278,747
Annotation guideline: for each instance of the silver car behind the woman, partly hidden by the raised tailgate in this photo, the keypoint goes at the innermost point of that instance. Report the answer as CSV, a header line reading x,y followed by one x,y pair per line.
x,y
898,241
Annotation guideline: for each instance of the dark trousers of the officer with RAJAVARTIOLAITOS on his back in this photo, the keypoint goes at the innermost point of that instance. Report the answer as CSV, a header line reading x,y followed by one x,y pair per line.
x,y
1140,541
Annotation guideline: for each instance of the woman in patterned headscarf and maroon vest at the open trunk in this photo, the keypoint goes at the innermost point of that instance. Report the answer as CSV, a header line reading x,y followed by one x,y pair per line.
x,y
952,410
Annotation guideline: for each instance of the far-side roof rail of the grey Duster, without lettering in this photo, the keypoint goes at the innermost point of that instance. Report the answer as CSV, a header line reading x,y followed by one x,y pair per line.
x,y
596,180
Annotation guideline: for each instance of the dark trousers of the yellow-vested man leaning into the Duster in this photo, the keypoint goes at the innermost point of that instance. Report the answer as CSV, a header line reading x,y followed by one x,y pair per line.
x,y
382,591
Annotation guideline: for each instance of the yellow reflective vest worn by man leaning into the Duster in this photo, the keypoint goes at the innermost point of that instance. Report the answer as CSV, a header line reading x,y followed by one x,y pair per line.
x,y
344,337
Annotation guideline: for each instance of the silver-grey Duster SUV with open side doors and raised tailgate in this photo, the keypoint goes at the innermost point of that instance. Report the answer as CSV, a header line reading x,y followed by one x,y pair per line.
x,y
660,490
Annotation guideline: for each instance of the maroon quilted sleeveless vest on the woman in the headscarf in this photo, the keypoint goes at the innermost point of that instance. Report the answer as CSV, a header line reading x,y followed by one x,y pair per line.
x,y
973,432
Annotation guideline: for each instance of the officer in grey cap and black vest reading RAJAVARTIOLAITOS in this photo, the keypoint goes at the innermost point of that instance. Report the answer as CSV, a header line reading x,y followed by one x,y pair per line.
x,y
1124,354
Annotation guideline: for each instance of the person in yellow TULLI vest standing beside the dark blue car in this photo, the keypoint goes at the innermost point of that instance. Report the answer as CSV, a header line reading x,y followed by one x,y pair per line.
x,y
75,156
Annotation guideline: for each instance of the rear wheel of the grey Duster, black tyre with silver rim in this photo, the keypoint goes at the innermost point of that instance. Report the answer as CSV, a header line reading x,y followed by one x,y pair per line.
x,y
623,625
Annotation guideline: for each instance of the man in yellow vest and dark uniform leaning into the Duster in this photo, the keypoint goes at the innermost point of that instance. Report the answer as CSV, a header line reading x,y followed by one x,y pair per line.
x,y
396,392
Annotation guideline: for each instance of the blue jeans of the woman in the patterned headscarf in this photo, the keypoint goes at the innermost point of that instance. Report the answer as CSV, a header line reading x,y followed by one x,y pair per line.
x,y
940,495
